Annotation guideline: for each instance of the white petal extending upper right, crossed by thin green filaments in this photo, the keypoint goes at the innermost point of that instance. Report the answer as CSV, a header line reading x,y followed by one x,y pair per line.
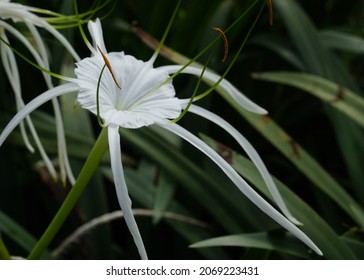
x,y
211,78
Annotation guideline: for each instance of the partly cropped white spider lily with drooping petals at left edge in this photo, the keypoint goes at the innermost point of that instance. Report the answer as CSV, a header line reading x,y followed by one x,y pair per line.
x,y
21,13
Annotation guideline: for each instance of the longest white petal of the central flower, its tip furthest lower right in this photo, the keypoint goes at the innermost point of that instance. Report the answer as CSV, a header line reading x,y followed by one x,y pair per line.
x,y
241,183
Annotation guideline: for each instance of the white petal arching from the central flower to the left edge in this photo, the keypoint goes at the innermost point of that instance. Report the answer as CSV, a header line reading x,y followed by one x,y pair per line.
x,y
34,104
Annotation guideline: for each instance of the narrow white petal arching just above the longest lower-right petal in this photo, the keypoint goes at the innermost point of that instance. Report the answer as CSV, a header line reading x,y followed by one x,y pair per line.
x,y
251,152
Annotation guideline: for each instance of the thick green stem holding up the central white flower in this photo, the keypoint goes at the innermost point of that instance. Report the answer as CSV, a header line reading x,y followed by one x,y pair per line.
x,y
86,173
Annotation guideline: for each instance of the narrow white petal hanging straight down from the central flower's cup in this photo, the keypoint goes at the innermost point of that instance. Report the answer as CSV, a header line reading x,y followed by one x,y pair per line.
x,y
121,188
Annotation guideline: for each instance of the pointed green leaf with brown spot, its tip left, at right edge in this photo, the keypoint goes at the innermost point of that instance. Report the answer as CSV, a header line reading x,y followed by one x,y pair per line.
x,y
340,98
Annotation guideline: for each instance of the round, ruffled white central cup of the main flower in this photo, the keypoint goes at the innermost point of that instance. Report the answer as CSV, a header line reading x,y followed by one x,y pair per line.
x,y
145,98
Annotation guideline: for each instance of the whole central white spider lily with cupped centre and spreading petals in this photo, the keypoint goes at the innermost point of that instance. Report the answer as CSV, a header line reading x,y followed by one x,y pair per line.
x,y
133,94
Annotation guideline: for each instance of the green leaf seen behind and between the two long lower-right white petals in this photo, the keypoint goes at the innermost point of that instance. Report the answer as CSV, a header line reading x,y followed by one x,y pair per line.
x,y
313,225
